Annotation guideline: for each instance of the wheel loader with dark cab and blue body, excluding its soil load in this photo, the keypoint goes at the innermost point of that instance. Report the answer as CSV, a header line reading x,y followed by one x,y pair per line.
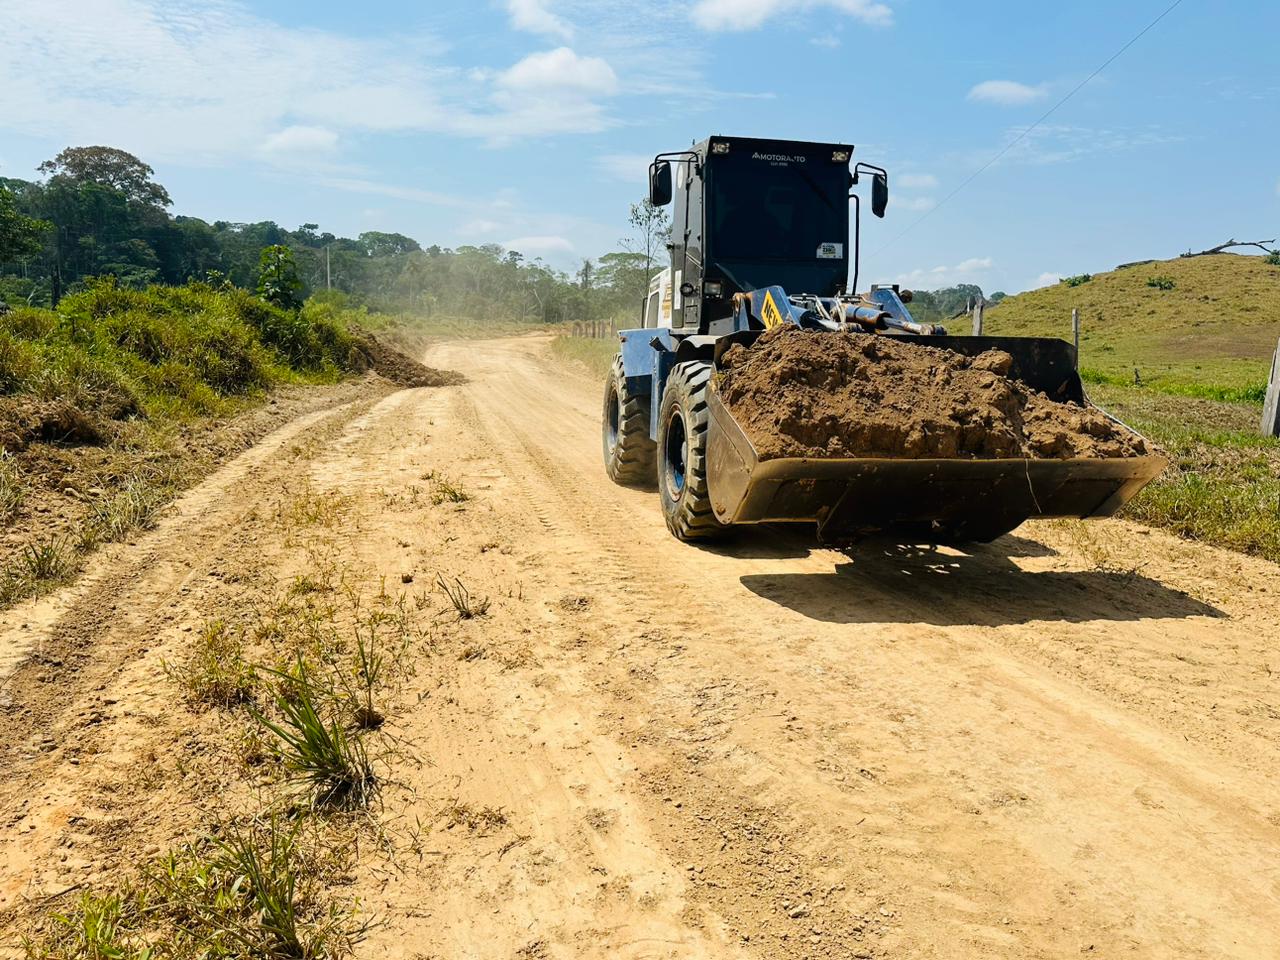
x,y
761,239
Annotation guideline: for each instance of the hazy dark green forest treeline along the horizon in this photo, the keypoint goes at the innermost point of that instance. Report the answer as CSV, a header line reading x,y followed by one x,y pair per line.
x,y
99,212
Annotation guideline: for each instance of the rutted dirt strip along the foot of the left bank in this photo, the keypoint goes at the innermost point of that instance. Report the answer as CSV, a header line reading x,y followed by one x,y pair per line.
x,y
75,753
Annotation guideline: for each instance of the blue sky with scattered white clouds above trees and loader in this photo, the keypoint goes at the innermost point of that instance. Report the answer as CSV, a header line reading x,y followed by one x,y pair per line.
x,y
529,124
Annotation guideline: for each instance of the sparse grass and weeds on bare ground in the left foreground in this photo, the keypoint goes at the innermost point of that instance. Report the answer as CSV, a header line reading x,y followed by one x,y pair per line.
x,y
299,697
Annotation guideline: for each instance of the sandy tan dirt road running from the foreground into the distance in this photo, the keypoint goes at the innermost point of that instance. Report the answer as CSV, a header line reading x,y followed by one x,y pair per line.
x,y
1059,746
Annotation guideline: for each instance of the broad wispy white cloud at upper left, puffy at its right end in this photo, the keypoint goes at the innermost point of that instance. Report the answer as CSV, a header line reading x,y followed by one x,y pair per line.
x,y
209,81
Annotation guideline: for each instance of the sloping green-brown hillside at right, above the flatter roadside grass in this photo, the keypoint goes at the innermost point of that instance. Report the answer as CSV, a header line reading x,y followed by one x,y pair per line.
x,y
1212,335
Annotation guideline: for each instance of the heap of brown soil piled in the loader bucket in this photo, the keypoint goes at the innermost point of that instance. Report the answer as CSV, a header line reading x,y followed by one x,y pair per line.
x,y
854,395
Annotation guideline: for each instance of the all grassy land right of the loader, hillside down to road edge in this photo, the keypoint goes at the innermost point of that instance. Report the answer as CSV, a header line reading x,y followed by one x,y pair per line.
x,y
1181,350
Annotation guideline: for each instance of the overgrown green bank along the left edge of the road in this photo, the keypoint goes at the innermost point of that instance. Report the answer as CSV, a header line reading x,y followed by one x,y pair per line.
x,y
104,404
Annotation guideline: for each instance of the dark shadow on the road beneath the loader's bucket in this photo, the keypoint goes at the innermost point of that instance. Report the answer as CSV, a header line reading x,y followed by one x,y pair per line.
x,y
886,583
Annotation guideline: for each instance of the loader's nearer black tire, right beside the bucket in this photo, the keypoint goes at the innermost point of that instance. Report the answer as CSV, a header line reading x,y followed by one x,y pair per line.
x,y
683,422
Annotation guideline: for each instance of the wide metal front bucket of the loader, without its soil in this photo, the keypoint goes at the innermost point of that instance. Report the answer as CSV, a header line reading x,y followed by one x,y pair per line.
x,y
964,500
